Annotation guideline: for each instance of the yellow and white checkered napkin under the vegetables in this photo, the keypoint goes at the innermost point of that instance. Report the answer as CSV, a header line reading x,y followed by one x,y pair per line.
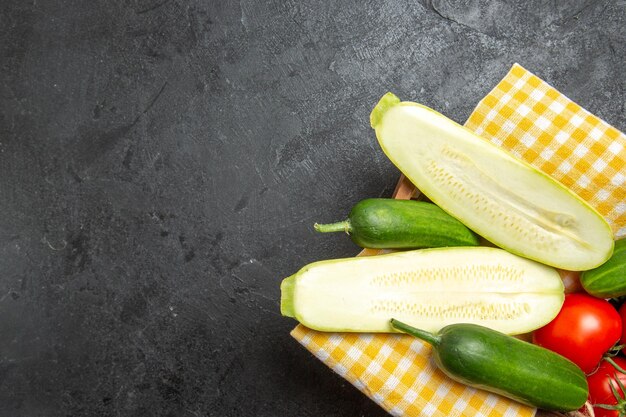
x,y
537,123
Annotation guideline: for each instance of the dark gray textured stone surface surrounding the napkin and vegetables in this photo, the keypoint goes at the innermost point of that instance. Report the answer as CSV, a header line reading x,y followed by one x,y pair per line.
x,y
162,162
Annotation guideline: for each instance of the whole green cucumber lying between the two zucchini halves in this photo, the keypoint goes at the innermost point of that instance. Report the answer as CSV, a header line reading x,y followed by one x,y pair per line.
x,y
385,223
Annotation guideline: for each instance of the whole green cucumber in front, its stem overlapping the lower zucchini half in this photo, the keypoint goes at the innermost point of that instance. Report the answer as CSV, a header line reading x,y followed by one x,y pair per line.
x,y
486,359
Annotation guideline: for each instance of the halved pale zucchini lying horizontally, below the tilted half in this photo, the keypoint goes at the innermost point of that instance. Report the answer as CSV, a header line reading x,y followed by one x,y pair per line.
x,y
429,288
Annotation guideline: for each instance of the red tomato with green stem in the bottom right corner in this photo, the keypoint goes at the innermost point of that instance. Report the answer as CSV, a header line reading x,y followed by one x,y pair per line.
x,y
600,388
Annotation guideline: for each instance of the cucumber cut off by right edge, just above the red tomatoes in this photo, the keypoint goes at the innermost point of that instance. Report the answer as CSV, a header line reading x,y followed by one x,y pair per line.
x,y
609,279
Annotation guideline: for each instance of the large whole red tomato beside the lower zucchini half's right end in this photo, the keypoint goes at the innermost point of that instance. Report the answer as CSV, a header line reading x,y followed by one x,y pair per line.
x,y
584,330
